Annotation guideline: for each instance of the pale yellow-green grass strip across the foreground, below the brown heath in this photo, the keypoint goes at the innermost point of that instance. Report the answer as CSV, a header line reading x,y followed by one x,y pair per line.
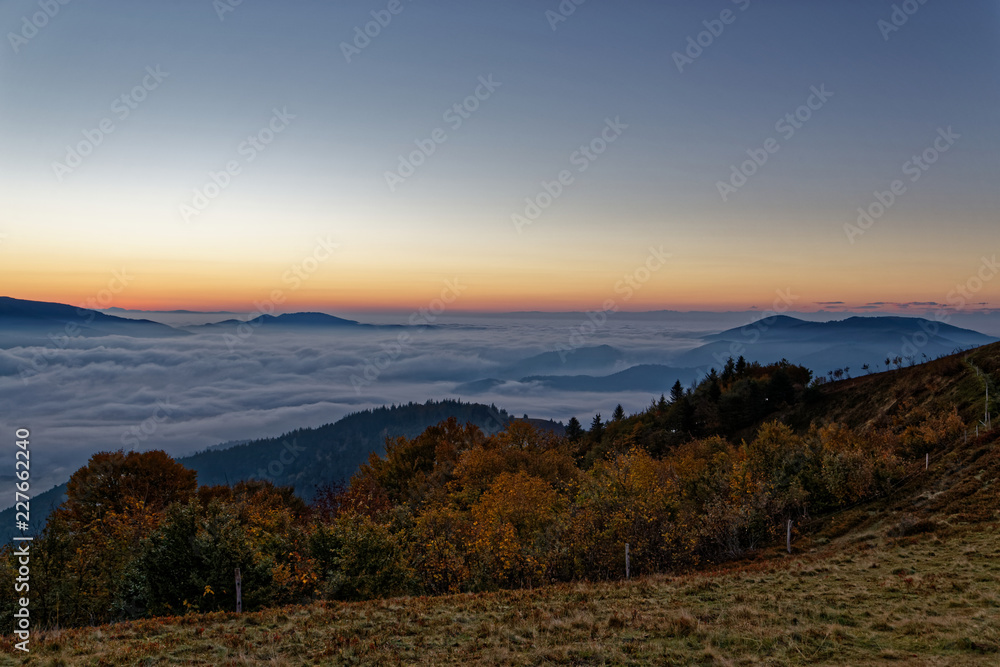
x,y
924,600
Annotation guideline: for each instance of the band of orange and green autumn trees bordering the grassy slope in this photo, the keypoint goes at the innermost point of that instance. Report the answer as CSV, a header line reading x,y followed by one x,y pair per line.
x,y
454,509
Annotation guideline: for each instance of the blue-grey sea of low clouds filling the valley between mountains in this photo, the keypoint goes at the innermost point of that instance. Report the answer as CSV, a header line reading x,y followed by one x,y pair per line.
x,y
185,394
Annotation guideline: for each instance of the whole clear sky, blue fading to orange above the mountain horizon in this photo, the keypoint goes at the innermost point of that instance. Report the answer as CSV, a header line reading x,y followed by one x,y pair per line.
x,y
211,155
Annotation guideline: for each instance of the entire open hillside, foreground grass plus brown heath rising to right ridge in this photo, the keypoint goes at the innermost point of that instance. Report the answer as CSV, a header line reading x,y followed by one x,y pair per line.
x,y
856,591
